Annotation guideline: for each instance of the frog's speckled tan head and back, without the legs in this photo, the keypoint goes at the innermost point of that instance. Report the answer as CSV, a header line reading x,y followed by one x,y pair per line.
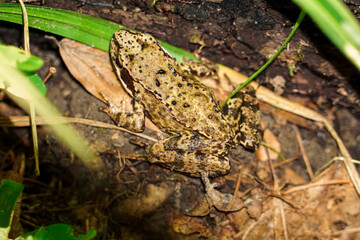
x,y
174,100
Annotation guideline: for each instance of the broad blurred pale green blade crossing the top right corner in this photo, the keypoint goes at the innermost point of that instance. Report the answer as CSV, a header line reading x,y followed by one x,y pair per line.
x,y
338,23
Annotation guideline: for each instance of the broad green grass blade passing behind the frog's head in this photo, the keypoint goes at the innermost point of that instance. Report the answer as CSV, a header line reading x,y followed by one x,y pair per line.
x,y
92,31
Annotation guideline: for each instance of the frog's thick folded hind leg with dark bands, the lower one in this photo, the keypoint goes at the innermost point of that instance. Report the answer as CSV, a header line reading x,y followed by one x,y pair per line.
x,y
186,153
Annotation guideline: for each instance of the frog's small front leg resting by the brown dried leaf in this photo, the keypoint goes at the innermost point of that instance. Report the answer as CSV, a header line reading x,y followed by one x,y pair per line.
x,y
133,121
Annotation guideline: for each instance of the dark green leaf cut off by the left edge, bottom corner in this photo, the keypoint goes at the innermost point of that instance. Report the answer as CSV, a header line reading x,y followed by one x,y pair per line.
x,y
10,192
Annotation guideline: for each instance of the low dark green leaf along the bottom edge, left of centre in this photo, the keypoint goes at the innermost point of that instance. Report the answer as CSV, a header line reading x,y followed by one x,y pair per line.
x,y
55,232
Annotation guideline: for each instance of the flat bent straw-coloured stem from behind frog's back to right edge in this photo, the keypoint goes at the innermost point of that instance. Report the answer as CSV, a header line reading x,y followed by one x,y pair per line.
x,y
275,100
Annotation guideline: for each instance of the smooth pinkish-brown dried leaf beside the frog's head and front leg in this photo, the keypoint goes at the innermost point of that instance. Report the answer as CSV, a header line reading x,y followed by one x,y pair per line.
x,y
92,68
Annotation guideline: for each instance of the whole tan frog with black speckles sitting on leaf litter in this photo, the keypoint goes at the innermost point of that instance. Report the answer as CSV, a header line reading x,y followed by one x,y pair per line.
x,y
172,97
